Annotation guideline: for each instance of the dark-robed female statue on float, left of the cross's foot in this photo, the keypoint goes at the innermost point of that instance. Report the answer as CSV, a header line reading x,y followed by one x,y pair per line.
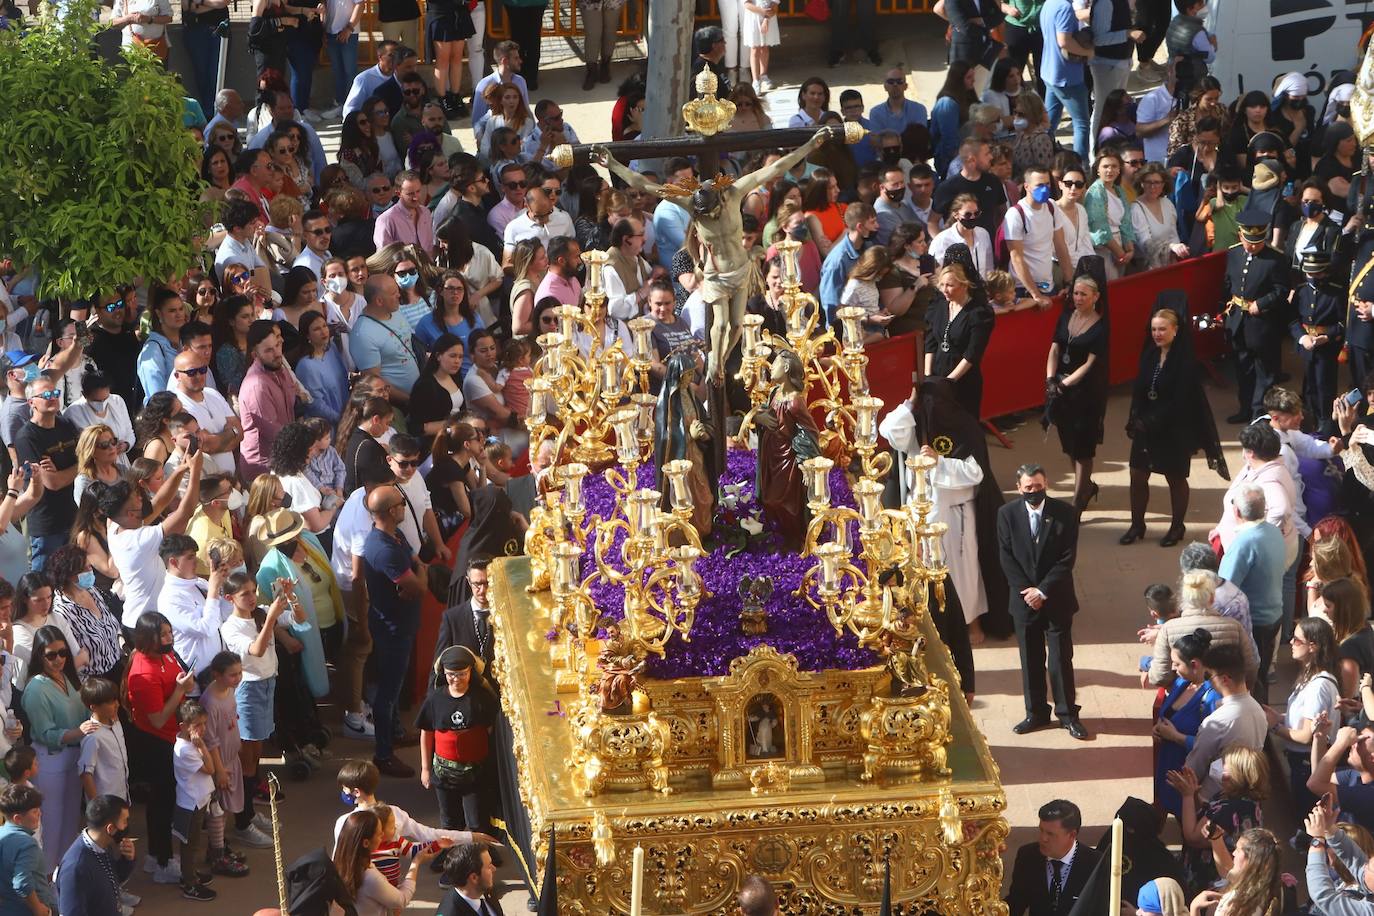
x,y
682,433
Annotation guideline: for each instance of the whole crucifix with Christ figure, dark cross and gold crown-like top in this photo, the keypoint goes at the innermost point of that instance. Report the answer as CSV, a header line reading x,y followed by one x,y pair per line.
x,y
717,216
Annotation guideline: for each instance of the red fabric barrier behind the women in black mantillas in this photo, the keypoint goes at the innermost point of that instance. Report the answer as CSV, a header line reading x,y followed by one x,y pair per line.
x,y
1013,367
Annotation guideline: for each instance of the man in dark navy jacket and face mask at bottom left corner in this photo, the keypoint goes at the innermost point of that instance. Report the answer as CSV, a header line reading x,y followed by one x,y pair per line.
x,y
100,862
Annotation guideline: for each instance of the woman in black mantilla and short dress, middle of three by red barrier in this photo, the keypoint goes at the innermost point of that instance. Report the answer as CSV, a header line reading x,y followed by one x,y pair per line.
x,y
1077,376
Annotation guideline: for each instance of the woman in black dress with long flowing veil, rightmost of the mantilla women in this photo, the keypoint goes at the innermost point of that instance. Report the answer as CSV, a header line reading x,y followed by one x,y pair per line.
x,y
1170,420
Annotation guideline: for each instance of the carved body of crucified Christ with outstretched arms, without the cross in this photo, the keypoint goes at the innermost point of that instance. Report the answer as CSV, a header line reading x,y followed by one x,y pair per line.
x,y
726,268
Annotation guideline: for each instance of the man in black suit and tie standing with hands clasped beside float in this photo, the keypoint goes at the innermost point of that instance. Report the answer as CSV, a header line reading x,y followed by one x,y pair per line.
x,y
1038,540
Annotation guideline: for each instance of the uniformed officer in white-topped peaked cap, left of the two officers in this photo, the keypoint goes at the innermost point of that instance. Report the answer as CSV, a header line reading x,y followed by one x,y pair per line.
x,y
1255,279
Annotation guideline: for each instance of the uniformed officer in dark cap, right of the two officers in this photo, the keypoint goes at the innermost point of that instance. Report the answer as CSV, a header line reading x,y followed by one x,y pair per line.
x,y
1320,332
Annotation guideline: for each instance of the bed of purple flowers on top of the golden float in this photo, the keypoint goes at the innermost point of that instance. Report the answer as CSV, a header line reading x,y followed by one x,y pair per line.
x,y
717,639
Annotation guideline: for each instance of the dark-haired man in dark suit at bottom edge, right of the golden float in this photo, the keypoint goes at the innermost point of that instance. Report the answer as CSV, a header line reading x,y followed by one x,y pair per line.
x,y
1050,874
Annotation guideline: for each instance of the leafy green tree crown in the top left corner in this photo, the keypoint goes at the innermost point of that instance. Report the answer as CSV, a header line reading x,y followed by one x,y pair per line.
x,y
98,178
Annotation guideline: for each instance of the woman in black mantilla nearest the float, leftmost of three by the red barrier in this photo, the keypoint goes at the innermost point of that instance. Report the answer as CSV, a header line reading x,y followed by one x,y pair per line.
x,y
958,328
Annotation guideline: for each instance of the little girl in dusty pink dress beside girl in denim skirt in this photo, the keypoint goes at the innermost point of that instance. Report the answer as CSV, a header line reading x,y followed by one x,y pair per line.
x,y
222,737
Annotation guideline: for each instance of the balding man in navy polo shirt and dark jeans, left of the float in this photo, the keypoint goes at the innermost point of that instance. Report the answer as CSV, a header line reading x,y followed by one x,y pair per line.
x,y
395,584
